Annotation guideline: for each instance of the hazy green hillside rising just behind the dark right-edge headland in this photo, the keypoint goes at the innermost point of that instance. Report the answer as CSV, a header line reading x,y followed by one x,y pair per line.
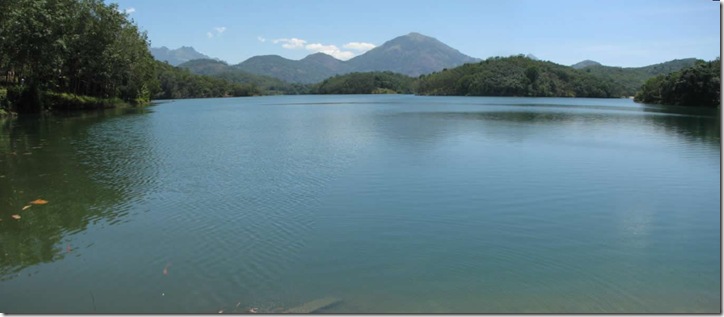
x,y
631,78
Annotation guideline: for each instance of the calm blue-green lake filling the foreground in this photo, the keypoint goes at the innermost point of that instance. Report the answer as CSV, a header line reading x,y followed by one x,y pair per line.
x,y
389,203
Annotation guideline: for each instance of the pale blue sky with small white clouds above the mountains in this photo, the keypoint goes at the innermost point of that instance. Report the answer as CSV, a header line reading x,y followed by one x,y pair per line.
x,y
625,33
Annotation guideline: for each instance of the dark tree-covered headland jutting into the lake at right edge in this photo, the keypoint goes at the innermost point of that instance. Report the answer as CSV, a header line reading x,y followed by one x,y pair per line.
x,y
698,85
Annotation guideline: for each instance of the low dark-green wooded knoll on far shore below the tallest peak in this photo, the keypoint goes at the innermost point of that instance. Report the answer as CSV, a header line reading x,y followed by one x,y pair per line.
x,y
365,83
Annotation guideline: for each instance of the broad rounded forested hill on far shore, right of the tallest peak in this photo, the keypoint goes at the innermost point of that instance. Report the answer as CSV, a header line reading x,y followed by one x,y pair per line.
x,y
517,76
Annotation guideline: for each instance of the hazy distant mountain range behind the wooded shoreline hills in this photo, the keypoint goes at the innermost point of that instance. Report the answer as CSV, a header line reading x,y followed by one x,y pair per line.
x,y
413,55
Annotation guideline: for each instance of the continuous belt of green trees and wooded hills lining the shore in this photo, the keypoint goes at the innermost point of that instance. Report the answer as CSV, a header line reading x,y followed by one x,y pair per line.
x,y
72,54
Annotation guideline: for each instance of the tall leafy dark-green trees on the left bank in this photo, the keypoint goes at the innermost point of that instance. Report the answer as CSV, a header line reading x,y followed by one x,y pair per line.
x,y
81,47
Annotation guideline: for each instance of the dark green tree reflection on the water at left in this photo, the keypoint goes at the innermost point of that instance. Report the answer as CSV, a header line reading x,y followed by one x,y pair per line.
x,y
40,158
